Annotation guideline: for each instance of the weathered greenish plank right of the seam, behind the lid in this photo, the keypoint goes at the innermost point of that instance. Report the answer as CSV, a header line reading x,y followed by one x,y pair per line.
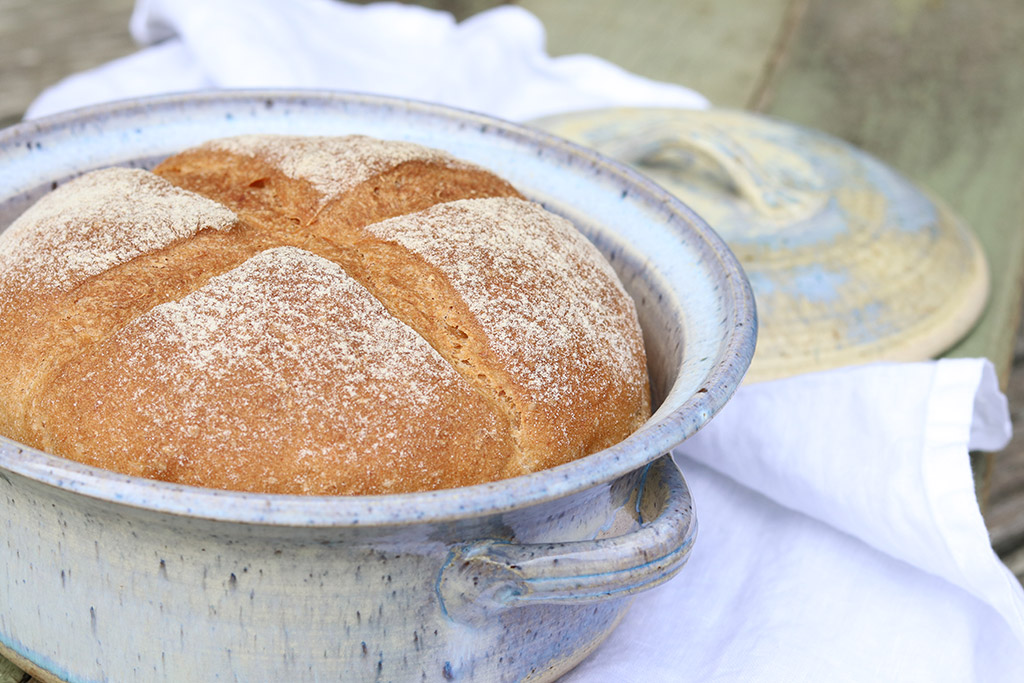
x,y
935,90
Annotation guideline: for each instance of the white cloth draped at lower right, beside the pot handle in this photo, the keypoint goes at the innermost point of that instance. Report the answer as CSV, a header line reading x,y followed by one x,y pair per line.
x,y
840,540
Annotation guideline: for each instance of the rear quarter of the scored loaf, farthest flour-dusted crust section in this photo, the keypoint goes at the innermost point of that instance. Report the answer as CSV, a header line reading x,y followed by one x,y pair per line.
x,y
251,176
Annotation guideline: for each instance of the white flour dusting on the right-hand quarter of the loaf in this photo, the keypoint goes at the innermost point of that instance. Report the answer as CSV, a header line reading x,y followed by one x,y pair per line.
x,y
552,302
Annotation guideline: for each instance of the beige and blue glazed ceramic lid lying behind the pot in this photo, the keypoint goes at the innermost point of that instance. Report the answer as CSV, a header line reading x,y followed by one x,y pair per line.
x,y
849,262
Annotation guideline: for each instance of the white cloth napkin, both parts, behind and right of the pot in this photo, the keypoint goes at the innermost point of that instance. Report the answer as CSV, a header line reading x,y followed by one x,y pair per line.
x,y
840,535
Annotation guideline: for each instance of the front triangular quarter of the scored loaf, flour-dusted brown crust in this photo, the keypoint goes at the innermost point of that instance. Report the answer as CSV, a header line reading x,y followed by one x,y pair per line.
x,y
281,376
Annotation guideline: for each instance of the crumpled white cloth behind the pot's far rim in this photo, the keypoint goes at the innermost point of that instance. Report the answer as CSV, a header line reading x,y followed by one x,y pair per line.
x,y
494,62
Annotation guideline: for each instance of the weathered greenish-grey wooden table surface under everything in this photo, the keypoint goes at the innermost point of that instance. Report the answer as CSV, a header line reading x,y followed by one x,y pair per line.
x,y
935,90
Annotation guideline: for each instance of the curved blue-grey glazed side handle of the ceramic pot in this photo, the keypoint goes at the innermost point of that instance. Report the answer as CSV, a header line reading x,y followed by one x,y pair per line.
x,y
483,578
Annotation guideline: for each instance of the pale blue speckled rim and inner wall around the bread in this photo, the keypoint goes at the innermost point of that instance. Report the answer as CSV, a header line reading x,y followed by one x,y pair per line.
x,y
695,304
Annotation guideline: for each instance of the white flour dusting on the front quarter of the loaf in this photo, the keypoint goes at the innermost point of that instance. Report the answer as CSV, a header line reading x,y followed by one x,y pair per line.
x,y
289,312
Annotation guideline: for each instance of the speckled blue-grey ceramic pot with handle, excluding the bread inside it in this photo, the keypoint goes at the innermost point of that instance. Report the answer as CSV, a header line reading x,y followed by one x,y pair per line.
x,y
109,578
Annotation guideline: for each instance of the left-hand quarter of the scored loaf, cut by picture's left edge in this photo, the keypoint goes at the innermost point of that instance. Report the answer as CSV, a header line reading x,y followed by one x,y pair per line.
x,y
56,301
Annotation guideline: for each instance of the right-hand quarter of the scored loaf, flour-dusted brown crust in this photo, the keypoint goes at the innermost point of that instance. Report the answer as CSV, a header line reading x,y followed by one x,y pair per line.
x,y
526,314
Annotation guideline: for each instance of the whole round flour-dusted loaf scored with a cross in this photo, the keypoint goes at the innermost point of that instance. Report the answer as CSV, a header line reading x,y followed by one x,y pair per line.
x,y
312,316
